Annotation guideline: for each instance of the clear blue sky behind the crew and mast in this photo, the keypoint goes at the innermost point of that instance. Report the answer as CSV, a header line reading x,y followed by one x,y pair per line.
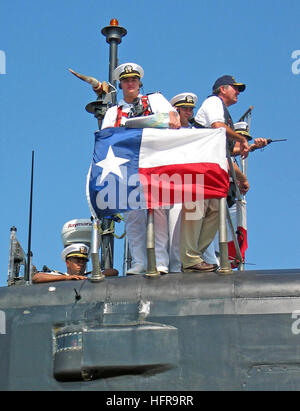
x,y
182,46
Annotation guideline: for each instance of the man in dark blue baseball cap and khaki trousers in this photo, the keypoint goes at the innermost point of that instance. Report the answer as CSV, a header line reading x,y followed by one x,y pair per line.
x,y
196,235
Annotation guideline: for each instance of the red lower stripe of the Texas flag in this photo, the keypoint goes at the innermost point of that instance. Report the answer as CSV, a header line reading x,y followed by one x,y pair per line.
x,y
169,184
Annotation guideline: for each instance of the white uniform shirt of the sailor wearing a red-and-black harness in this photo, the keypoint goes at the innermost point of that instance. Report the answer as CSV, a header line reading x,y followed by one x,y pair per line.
x,y
157,102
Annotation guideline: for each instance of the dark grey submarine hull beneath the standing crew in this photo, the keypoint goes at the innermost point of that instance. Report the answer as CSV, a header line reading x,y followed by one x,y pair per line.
x,y
178,332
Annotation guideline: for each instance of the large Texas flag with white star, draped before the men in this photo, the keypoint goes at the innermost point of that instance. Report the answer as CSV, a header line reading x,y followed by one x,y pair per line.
x,y
153,168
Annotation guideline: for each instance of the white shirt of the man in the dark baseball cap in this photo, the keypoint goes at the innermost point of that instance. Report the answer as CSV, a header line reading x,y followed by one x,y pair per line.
x,y
211,111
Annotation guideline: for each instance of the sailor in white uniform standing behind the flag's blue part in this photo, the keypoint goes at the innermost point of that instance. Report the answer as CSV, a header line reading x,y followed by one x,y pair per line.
x,y
135,104
